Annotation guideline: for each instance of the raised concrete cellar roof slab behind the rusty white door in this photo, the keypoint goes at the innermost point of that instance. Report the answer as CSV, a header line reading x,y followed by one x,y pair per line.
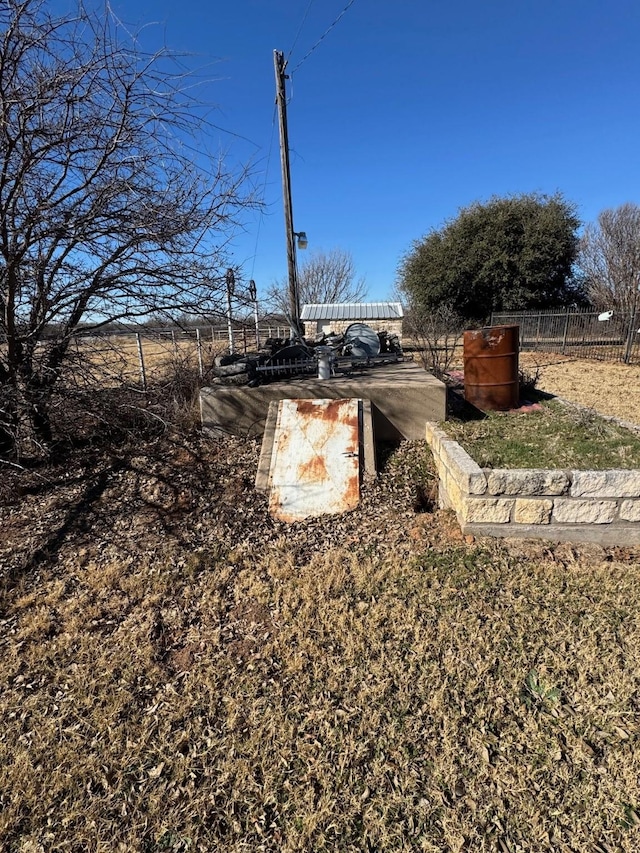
x,y
403,397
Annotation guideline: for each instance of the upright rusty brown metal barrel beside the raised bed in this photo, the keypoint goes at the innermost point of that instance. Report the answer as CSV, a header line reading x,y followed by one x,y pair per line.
x,y
491,367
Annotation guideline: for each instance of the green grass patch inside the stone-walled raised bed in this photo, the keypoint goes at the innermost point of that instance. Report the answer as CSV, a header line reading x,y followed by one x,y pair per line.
x,y
556,436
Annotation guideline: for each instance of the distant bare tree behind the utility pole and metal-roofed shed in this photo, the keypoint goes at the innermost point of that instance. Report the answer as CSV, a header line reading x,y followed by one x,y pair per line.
x,y
326,277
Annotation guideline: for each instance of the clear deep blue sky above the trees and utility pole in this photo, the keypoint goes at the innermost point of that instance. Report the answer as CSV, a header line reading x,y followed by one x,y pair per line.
x,y
408,110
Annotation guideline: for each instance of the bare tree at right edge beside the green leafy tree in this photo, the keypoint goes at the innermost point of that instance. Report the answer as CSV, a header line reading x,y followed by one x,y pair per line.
x,y
609,258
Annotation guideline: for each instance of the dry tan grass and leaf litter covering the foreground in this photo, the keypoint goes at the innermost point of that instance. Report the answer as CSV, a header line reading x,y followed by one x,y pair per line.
x,y
181,673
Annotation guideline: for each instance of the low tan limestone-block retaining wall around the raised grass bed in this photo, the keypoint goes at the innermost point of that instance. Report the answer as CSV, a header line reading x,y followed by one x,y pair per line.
x,y
600,506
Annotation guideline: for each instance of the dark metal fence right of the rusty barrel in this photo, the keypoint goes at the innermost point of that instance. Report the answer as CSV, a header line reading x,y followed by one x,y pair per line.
x,y
606,336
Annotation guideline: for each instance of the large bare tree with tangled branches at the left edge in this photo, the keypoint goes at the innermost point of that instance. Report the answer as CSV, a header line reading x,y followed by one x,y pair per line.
x,y
108,209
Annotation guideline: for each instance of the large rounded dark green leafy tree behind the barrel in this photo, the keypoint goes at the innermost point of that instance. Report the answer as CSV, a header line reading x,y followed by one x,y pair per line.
x,y
514,252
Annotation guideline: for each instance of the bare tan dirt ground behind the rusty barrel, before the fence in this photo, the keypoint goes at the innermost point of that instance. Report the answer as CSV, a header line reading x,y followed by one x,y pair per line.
x,y
611,388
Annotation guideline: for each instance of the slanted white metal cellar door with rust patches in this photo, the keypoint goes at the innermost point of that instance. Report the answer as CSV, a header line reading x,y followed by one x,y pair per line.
x,y
315,466
